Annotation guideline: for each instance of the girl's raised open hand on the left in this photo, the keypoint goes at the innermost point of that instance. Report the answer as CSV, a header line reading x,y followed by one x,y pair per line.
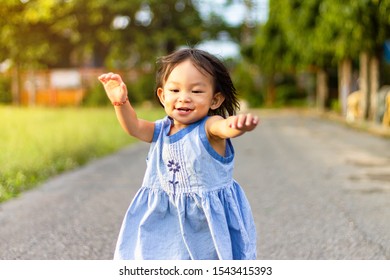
x,y
115,88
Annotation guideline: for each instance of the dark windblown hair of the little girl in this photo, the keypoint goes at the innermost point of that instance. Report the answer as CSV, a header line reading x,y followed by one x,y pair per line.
x,y
208,63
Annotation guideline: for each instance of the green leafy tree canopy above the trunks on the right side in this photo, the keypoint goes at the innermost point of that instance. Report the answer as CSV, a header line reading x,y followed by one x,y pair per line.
x,y
312,34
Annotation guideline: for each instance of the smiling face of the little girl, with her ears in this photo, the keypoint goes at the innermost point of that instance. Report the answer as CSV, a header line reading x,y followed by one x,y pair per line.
x,y
188,94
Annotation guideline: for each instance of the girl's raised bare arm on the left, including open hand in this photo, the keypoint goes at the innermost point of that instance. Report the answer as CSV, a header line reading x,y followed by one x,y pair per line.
x,y
117,93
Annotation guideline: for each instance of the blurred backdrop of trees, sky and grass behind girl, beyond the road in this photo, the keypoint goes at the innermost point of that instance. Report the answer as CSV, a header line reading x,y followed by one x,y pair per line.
x,y
325,54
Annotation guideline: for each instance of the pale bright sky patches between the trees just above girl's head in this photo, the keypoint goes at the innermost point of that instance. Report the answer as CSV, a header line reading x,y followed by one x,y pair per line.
x,y
234,14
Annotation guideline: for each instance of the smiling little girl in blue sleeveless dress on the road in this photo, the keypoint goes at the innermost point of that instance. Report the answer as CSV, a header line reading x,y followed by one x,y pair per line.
x,y
189,206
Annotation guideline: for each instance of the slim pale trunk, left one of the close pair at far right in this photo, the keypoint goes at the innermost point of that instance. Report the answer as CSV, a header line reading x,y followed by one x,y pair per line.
x,y
363,84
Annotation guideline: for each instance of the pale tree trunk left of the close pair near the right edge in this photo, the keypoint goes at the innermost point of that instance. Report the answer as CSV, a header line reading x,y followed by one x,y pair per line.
x,y
345,81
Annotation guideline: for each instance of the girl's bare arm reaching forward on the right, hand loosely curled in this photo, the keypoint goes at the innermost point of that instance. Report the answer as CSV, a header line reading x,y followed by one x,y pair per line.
x,y
220,128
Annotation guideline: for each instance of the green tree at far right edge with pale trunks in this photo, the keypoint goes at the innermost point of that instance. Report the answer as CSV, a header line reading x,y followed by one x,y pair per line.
x,y
357,30
